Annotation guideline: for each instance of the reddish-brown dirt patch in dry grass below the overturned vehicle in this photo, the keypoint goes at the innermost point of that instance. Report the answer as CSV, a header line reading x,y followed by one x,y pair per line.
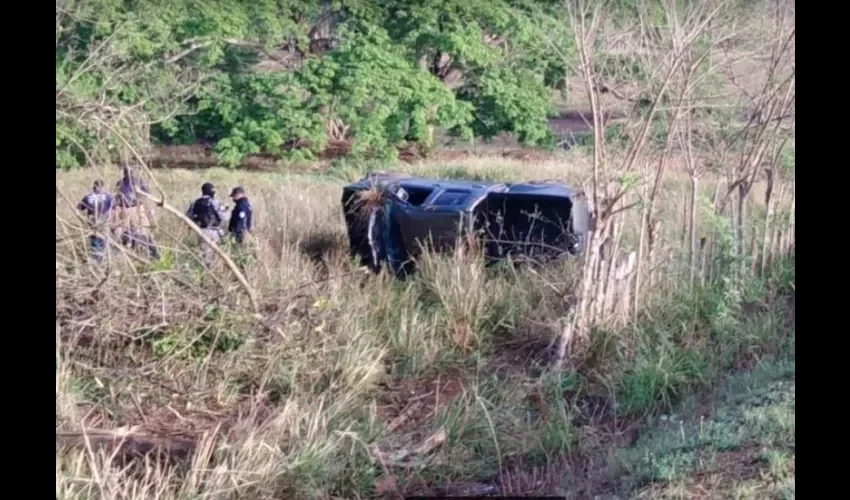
x,y
407,403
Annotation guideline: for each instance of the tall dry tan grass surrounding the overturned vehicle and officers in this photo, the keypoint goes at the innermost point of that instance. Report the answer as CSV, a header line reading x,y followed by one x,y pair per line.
x,y
350,385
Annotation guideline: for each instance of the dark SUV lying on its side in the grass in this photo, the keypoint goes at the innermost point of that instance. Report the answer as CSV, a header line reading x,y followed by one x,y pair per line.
x,y
392,217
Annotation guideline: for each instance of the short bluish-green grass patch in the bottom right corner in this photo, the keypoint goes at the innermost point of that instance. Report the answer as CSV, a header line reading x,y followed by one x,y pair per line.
x,y
738,443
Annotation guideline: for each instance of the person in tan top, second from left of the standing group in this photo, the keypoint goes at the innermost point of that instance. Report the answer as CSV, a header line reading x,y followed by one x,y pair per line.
x,y
134,219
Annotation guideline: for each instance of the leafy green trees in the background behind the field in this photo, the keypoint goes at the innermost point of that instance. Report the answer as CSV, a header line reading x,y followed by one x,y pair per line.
x,y
388,74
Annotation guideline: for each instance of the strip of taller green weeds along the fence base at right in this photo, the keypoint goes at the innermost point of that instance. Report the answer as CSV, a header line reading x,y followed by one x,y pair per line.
x,y
664,366
